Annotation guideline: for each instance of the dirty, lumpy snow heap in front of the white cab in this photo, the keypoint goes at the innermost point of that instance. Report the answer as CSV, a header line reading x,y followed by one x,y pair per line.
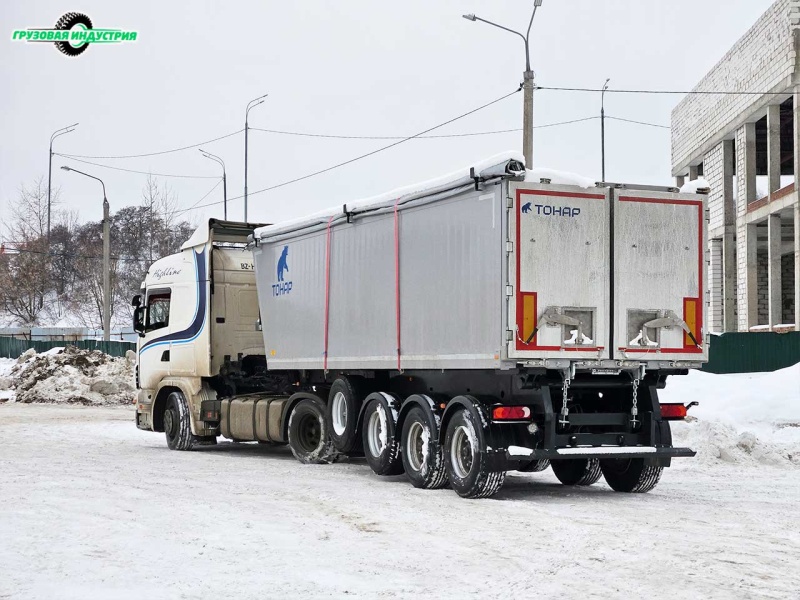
x,y
69,376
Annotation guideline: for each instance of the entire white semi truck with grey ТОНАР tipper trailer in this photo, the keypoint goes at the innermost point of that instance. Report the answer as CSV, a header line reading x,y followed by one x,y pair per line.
x,y
489,321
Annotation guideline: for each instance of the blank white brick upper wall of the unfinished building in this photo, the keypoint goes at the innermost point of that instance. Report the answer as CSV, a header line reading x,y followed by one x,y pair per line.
x,y
759,61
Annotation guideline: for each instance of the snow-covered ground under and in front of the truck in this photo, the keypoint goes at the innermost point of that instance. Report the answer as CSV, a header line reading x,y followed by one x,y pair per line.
x,y
90,507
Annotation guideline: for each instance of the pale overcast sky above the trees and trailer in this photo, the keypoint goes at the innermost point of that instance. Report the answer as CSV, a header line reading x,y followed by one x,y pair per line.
x,y
353,67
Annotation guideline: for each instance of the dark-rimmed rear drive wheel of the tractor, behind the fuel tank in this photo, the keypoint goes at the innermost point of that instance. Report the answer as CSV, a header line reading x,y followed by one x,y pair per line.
x,y
308,433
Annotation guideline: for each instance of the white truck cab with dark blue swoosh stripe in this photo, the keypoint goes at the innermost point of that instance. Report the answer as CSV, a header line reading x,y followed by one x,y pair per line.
x,y
197,319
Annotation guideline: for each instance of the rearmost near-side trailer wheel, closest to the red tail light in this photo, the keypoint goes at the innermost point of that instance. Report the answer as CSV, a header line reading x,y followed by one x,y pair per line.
x,y
466,460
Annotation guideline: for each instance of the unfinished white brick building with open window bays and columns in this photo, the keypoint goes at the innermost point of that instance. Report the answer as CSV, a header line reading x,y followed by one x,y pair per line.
x,y
745,142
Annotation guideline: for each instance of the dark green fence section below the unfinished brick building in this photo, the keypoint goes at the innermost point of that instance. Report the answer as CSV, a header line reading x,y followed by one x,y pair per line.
x,y
753,352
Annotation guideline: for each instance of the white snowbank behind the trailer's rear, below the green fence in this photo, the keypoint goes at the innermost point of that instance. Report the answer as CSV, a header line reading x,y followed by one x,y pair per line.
x,y
748,418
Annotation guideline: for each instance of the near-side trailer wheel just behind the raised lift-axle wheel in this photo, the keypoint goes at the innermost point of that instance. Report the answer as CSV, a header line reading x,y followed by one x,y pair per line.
x,y
381,448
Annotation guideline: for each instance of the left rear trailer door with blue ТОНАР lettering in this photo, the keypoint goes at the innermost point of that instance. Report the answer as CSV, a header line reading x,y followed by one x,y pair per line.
x,y
558,271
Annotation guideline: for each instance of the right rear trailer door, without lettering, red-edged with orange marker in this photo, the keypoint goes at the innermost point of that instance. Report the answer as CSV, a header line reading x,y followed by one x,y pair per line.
x,y
659,276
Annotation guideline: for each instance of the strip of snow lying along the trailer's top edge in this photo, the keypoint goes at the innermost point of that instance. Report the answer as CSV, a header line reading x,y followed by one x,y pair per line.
x,y
506,164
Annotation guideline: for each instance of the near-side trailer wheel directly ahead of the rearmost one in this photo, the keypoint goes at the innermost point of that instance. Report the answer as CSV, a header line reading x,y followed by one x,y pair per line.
x,y
422,454
